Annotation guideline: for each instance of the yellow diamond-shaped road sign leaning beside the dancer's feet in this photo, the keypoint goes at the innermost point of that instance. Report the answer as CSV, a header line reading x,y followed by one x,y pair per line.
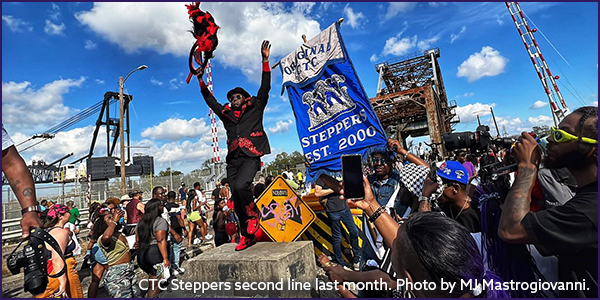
x,y
284,216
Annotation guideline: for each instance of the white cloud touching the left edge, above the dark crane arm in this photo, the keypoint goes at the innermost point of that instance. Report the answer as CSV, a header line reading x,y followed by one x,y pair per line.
x,y
43,107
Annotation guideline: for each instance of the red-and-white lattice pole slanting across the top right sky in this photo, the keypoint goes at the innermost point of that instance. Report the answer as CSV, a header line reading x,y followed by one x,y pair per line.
x,y
541,67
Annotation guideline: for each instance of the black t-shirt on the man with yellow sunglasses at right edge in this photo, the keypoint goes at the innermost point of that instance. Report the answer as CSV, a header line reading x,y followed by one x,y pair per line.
x,y
571,232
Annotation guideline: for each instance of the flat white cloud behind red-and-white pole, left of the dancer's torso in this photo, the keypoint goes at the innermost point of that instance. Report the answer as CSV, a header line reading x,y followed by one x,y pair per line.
x,y
174,129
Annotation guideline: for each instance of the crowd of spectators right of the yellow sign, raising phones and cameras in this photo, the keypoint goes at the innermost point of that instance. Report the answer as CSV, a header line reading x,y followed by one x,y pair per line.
x,y
453,220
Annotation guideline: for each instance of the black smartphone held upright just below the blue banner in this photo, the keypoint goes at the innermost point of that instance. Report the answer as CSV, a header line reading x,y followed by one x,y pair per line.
x,y
352,177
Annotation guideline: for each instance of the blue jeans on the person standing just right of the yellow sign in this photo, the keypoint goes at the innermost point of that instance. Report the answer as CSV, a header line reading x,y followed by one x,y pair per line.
x,y
345,216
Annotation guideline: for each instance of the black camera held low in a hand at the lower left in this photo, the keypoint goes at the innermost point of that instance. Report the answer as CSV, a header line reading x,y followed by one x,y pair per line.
x,y
35,281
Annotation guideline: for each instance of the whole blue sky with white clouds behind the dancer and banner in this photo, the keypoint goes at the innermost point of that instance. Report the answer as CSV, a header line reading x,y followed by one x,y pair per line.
x,y
60,58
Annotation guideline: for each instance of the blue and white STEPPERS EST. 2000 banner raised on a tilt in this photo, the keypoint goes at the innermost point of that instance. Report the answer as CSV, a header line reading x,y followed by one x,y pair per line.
x,y
333,113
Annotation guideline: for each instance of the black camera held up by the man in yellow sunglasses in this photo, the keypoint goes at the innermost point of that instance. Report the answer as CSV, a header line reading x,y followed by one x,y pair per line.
x,y
477,141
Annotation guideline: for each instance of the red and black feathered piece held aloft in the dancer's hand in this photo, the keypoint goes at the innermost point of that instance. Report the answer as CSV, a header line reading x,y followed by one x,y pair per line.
x,y
205,33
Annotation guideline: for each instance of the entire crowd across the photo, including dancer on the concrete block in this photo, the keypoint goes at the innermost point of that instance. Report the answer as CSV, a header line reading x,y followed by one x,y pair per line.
x,y
425,219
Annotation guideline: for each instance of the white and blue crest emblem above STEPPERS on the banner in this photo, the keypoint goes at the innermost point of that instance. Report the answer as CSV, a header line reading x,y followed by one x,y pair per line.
x,y
327,100
